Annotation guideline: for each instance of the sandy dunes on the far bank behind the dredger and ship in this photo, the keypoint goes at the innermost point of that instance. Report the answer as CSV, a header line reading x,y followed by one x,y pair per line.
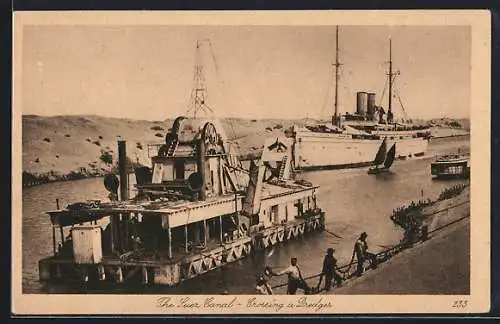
x,y
61,145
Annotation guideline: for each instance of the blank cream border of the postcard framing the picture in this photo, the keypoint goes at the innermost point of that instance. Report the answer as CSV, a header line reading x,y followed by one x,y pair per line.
x,y
478,300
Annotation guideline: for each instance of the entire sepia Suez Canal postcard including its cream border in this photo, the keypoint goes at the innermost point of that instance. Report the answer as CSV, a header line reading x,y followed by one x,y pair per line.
x,y
202,162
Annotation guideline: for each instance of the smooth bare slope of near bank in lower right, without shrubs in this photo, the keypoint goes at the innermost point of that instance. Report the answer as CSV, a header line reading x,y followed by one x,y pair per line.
x,y
438,266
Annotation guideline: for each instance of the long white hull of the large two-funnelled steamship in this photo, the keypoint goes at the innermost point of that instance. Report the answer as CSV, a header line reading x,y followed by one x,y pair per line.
x,y
314,150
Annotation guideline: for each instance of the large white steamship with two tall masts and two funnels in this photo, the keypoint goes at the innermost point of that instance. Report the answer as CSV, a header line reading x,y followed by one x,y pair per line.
x,y
351,140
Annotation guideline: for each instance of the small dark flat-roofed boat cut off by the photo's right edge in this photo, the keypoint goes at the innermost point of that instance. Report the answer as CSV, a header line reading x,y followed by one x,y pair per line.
x,y
451,166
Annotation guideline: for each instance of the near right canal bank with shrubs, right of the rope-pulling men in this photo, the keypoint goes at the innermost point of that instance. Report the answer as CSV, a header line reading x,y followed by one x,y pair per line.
x,y
438,265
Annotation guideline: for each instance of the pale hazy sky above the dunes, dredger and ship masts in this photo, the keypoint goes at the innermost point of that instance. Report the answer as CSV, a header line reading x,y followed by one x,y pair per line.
x,y
146,72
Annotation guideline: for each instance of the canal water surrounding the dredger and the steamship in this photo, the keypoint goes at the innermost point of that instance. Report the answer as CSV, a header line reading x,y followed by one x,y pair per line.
x,y
353,200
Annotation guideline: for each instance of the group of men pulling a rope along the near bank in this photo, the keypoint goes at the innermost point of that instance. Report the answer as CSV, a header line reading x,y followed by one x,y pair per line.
x,y
330,270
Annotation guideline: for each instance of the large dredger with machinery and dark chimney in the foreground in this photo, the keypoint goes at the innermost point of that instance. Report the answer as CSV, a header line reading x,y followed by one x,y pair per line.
x,y
196,209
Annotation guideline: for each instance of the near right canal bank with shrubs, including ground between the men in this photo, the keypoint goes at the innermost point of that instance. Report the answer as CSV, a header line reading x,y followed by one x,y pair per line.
x,y
434,261
